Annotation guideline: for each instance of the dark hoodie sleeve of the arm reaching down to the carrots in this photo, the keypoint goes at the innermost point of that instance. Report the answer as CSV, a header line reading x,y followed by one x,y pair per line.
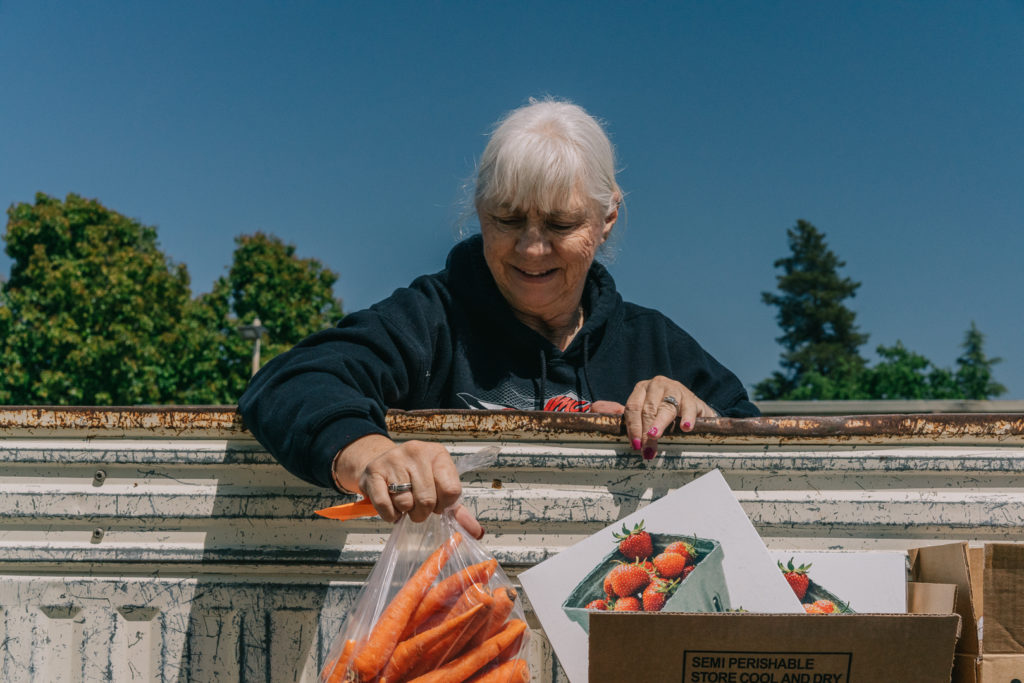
x,y
335,387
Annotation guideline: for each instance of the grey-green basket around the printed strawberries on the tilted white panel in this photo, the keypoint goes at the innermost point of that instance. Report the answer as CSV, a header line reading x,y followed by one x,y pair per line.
x,y
704,590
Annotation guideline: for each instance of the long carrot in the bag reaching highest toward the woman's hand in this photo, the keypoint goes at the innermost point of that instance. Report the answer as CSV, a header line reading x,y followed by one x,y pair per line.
x,y
385,636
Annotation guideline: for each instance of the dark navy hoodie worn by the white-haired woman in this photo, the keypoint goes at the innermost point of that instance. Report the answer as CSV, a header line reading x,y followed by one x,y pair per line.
x,y
450,340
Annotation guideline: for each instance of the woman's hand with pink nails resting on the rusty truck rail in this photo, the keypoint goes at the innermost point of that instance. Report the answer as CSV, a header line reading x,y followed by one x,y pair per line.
x,y
654,406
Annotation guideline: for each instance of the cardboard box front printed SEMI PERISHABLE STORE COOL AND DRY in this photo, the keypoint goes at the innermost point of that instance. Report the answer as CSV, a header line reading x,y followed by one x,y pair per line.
x,y
629,648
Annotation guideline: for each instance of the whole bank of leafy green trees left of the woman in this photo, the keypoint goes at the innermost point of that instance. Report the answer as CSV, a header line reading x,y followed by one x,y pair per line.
x,y
95,314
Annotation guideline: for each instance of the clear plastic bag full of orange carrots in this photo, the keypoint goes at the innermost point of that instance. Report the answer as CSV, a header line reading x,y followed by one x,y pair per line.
x,y
437,609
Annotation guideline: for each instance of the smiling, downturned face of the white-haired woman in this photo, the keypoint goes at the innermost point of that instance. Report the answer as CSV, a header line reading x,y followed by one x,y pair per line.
x,y
540,261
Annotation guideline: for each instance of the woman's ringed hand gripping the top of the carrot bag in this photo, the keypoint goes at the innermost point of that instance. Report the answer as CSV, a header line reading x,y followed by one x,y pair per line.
x,y
371,463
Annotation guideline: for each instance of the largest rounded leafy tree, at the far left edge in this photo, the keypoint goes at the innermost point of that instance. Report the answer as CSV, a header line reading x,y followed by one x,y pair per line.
x,y
91,313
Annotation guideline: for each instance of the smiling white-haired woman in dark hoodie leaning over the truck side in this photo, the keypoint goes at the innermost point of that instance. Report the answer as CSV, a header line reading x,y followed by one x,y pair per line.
x,y
521,318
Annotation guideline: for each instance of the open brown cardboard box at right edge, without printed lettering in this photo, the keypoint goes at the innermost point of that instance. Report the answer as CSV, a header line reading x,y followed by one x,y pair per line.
x,y
991,603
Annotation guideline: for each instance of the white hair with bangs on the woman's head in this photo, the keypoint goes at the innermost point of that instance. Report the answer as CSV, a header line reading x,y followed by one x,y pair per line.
x,y
542,154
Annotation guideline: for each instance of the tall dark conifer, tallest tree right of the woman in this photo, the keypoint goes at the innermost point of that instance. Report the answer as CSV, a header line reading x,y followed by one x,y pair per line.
x,y
821,340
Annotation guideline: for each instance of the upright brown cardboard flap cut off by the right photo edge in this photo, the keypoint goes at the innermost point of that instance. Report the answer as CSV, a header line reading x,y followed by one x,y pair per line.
x,y
1004,592
